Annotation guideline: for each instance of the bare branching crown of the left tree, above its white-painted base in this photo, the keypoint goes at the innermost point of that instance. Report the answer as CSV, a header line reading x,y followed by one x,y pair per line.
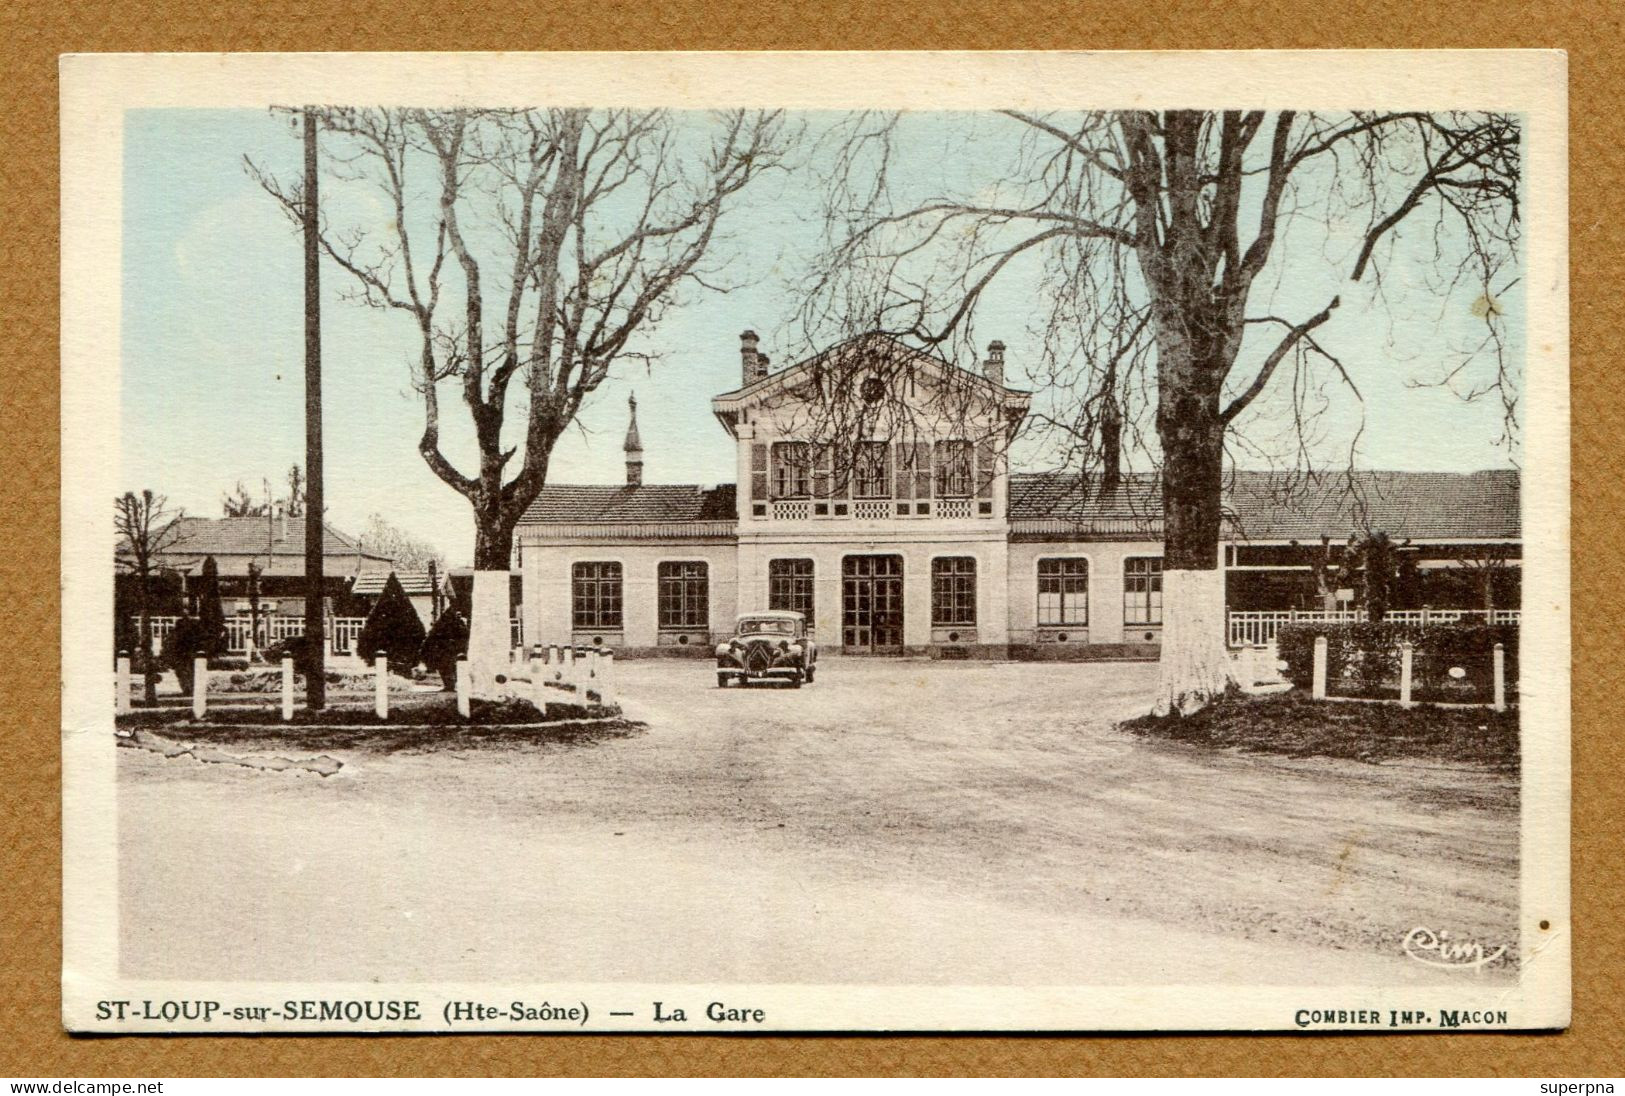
x,y
574,228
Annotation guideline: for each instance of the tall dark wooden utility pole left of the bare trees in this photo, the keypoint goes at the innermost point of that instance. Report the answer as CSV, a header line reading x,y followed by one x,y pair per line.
x,y
316,640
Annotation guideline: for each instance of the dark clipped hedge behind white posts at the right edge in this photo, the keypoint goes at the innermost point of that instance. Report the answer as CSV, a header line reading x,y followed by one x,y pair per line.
x,y
1367,656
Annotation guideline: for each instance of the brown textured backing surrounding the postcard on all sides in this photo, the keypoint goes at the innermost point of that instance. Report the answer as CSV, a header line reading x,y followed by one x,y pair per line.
x,y
33,33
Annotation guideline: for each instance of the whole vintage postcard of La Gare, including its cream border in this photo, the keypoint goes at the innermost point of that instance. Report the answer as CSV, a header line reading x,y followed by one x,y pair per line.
x,y
815,542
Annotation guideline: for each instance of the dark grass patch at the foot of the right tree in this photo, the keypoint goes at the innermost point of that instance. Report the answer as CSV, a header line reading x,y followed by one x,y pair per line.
x,y
1294,726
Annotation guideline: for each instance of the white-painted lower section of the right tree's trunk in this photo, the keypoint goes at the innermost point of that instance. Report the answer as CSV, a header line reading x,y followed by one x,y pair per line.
x,y
1195,659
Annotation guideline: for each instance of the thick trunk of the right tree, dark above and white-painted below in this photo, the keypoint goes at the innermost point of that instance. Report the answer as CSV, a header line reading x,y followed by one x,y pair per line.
x,y
1195,659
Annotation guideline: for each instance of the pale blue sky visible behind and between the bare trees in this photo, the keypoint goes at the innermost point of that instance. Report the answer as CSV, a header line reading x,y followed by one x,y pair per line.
x,y
212,339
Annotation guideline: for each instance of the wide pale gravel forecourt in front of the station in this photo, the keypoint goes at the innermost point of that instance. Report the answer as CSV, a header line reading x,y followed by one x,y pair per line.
x,y
899,822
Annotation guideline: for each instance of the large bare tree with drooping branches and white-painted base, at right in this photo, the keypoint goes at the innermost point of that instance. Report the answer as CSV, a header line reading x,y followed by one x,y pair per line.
x,y
1163,240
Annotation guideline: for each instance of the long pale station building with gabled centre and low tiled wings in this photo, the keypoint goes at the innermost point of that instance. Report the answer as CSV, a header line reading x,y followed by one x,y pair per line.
x,y
914,537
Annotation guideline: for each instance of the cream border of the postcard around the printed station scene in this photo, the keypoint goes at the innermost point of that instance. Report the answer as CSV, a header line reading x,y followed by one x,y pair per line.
x,y
97,90
